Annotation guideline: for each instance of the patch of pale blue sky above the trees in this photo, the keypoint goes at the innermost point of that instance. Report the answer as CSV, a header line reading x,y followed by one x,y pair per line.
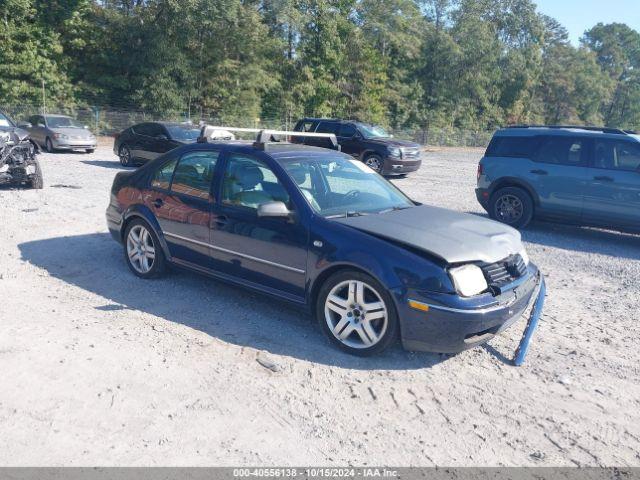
x,y
580,15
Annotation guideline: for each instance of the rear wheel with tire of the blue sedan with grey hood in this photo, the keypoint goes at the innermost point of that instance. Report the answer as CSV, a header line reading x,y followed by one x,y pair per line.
x,y
142,250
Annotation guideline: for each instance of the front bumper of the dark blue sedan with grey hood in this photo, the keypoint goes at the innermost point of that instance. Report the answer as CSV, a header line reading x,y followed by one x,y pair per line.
x,y
452,329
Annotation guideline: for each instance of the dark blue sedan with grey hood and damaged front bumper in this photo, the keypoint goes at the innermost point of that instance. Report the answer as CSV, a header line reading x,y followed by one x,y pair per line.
x,y
319,229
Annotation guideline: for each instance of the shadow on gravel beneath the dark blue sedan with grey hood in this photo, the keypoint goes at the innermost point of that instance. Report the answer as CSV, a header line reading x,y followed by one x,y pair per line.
x,y
95,263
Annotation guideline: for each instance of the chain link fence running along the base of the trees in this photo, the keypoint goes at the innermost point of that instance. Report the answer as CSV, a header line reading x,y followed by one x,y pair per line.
x,y
104,120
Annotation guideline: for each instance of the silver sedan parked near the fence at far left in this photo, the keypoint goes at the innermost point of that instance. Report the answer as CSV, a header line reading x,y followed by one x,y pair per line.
x,y
61,132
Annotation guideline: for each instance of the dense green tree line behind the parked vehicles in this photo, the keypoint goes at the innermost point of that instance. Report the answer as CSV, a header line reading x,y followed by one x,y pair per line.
x,y
466,64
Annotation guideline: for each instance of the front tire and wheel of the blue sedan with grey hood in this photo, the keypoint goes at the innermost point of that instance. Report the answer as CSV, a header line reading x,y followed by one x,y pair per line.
x,y
357,313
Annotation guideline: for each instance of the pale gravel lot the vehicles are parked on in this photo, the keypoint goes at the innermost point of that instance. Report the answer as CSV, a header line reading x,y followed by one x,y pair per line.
x,y
101,368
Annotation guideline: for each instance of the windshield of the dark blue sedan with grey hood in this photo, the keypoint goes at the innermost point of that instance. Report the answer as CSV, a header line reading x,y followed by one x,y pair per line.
x,y
341,186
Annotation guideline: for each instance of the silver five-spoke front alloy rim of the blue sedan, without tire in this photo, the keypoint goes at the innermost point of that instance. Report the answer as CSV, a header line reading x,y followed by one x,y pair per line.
x,y
356,314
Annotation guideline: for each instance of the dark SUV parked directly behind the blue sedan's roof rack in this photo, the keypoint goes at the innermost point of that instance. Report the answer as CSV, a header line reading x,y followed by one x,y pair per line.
x,y
370,144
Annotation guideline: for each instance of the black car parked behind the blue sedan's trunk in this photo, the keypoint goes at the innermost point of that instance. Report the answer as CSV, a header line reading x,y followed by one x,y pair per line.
x,y
146,141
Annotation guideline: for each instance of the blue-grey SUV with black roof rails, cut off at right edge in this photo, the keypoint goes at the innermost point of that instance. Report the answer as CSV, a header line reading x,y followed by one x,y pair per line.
x,y
581,175
